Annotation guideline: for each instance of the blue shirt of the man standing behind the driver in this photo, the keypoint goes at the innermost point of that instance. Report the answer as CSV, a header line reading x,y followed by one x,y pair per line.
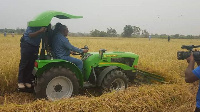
x,y
35,41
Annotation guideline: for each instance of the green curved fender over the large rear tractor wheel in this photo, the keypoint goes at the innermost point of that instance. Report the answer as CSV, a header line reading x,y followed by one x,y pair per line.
x,y
67,65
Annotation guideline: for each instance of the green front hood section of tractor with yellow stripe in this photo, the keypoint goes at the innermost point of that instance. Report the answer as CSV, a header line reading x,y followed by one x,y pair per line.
x,y
95,63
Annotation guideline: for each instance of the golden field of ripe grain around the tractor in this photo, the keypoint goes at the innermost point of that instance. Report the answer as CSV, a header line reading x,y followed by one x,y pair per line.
x,y
156,56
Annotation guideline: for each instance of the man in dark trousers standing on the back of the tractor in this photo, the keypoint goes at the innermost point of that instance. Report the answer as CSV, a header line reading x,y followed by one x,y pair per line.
x,y
30,43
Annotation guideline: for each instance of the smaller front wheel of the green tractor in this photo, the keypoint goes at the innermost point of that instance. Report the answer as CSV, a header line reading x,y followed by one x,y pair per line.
x,y
115,80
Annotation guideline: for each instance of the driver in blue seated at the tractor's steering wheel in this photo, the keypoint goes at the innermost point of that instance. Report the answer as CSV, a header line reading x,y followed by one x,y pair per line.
x,y
62,47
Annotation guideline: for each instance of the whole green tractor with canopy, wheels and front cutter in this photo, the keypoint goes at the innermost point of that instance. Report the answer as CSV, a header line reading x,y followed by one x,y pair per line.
x,y
57,78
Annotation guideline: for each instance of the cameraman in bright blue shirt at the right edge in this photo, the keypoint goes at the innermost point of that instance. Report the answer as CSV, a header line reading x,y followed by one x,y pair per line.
x,y
192,75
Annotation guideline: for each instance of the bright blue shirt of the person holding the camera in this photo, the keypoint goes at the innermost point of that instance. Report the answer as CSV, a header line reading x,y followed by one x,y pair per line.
x,y
196,72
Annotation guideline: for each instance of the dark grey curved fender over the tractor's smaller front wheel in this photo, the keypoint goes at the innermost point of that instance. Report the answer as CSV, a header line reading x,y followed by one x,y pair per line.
x,y
103,74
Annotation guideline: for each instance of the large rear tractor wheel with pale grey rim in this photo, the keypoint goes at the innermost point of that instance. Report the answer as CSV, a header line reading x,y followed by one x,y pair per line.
x,y
57,83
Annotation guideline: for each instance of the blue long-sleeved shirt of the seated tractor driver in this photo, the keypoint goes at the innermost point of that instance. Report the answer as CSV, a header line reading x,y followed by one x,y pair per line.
x,y
62,47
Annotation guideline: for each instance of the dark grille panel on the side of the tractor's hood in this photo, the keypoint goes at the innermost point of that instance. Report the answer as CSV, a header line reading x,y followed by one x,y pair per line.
x,y
126,61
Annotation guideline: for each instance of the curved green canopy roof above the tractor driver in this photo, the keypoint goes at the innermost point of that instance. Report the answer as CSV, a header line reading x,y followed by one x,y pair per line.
x,y
44,18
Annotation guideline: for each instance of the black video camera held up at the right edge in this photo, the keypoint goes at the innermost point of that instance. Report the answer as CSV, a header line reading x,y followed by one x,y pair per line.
x,y
181,55
